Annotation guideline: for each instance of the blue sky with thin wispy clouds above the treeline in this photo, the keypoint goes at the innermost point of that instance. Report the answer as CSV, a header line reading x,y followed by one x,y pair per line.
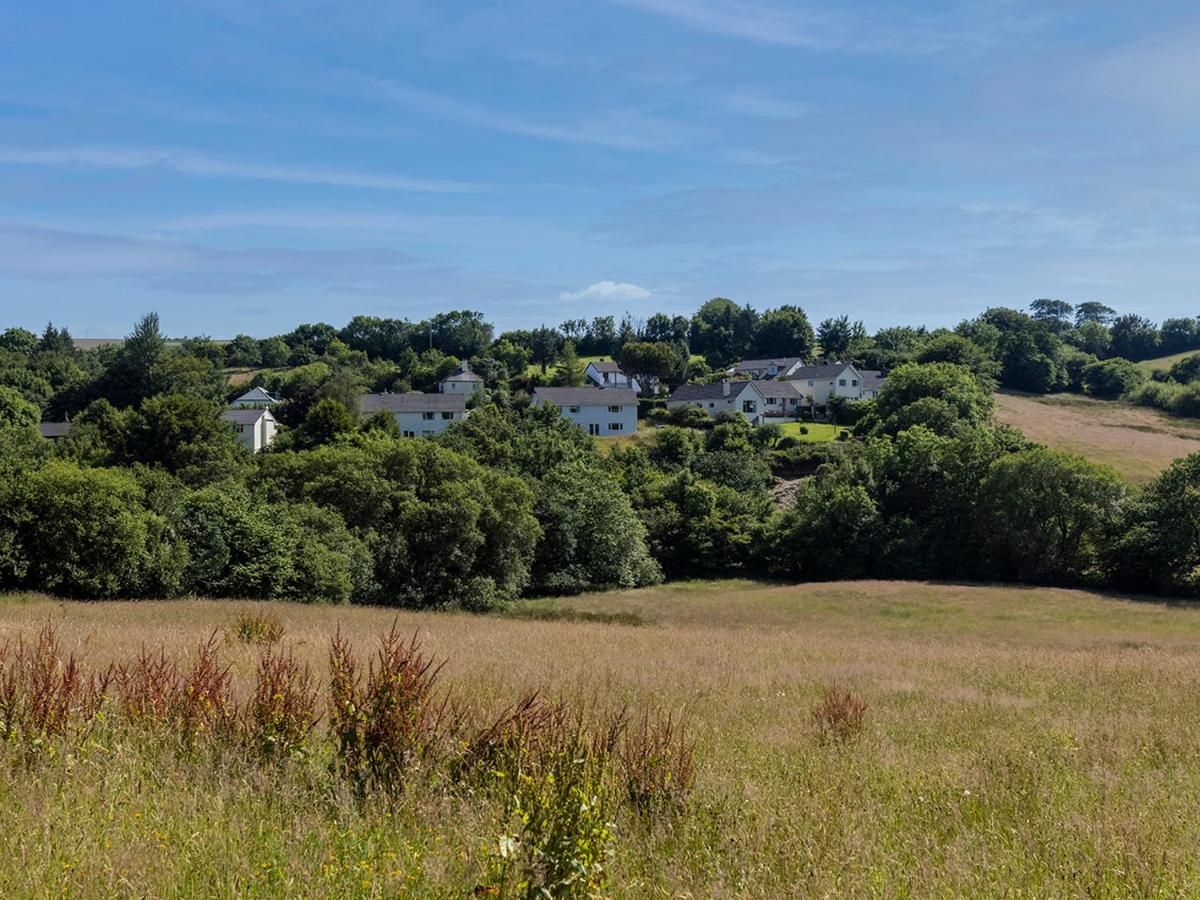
x,y
243,167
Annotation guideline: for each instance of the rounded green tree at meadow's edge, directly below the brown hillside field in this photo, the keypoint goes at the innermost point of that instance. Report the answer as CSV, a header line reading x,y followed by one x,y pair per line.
x,y
1046,514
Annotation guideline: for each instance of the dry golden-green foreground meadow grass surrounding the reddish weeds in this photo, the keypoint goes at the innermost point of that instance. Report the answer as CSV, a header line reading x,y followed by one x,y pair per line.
x,y
1017,742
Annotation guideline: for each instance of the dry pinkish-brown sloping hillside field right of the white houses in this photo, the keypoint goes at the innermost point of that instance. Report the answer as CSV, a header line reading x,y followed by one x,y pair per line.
x,y
1138,442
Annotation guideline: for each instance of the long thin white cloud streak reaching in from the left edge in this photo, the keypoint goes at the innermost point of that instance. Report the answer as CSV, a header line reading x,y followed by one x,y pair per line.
x,y
189,164
